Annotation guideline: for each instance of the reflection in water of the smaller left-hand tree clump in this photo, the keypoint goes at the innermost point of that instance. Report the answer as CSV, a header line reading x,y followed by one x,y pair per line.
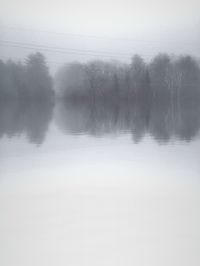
x,y
30,118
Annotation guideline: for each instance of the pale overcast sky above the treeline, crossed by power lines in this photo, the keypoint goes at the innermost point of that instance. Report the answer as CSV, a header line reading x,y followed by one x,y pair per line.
x,y
154,26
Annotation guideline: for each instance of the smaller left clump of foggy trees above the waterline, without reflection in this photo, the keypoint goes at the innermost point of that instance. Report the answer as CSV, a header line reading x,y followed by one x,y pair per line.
x,y
28,81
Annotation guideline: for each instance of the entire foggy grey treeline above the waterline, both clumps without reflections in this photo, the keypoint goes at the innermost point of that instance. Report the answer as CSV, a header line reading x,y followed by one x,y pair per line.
x,y
164,80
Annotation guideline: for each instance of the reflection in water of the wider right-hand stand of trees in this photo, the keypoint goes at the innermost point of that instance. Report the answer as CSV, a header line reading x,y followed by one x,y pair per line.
x,y
164,123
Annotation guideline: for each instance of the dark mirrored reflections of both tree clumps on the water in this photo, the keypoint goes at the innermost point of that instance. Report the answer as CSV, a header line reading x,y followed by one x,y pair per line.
x,y
163,124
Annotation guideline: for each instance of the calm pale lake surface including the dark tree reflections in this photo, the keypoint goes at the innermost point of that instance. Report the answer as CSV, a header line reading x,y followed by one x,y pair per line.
x,y
79,187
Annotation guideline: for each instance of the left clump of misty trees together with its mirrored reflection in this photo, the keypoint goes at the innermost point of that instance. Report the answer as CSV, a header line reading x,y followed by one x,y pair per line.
x,y
26,98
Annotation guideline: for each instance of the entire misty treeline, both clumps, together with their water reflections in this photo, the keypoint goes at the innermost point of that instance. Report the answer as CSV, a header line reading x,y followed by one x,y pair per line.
x,y
160,98
